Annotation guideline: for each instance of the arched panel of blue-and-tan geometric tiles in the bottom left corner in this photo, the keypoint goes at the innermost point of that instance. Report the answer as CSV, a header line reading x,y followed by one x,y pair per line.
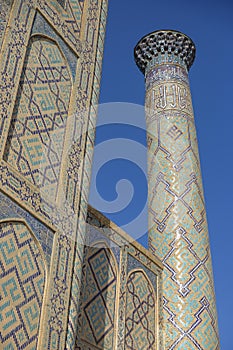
x,y
22,274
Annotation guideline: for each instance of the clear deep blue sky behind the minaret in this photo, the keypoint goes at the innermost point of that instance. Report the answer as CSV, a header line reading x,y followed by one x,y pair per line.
x,y
210,25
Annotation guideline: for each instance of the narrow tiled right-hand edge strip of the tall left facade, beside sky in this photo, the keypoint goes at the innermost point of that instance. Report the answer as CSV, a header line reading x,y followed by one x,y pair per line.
x,y
94,13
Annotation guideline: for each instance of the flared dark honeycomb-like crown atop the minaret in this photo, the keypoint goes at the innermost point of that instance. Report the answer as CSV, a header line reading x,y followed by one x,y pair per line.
x,y
164,42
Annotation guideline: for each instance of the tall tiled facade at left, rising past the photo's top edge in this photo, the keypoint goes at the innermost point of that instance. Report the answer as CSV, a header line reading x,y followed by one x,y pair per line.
x,y
50,68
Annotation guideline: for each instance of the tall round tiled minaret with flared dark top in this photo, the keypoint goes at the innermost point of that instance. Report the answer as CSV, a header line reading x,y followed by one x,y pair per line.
x,y
178,232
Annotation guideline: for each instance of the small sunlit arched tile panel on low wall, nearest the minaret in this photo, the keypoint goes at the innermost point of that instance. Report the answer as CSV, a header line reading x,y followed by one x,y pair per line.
x,y
140,323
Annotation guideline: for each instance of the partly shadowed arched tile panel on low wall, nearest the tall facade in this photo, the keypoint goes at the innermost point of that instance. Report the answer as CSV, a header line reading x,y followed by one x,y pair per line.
x,y
99,298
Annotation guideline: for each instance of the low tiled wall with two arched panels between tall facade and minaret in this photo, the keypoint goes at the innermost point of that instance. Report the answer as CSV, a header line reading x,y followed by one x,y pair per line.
x,y
138,291
